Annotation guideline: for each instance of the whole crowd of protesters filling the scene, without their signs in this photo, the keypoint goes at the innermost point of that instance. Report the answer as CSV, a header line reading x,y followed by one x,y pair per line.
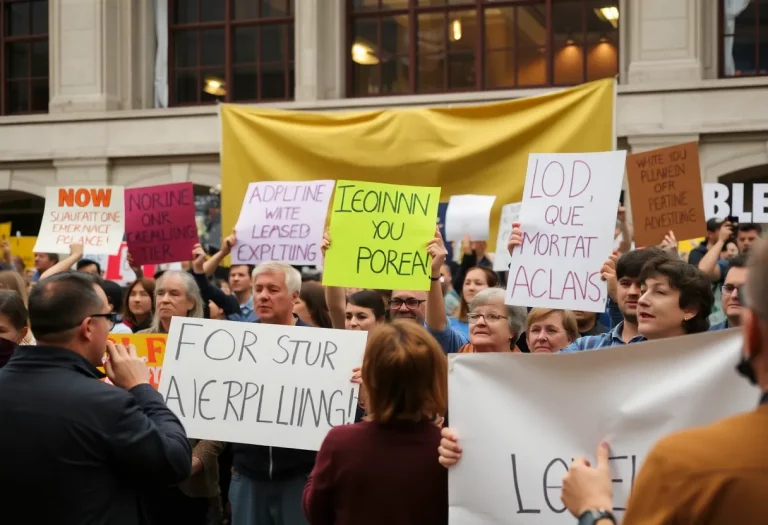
x,y
112,452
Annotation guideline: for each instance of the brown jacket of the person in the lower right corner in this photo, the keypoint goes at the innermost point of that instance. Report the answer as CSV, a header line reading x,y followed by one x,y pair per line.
x,y
714,475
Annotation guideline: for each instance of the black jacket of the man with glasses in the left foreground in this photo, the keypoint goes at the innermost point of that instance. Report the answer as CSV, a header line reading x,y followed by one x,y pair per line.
x,y
83,449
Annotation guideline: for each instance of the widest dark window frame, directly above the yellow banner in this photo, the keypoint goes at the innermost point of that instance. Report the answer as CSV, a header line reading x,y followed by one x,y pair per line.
x,y
412,10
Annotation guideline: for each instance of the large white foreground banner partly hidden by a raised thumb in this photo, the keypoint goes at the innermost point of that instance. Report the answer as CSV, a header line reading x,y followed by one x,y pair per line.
x,y
522,418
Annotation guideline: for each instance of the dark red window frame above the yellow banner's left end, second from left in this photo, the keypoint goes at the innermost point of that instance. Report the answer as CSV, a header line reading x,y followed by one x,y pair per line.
x,y
228,25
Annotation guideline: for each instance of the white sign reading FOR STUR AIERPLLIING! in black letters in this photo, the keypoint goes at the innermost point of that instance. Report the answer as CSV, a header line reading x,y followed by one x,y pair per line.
x,y
260,384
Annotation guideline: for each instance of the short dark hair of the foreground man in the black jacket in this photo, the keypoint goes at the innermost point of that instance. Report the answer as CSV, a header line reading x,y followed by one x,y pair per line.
x,y
58,303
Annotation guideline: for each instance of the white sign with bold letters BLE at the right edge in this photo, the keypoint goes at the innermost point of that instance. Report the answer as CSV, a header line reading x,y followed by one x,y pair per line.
x,y
720,203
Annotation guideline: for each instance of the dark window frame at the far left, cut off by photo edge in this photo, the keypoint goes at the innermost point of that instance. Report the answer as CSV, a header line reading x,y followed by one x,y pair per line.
x,y
29,39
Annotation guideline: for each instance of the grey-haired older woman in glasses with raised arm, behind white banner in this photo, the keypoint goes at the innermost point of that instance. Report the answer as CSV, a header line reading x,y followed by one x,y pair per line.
x,y
493,326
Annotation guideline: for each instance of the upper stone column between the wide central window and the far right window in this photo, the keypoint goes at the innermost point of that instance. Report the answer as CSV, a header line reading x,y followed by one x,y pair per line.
x,y
665,40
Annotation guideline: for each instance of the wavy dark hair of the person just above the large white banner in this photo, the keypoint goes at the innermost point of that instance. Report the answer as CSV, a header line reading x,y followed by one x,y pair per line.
x,y
693,285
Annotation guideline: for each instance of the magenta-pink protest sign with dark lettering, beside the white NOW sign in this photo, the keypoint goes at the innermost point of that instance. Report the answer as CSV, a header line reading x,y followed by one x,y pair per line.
x,y
160,223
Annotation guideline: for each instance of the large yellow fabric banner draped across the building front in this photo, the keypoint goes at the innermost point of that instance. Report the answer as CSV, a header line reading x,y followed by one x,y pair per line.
x,y
474,149
